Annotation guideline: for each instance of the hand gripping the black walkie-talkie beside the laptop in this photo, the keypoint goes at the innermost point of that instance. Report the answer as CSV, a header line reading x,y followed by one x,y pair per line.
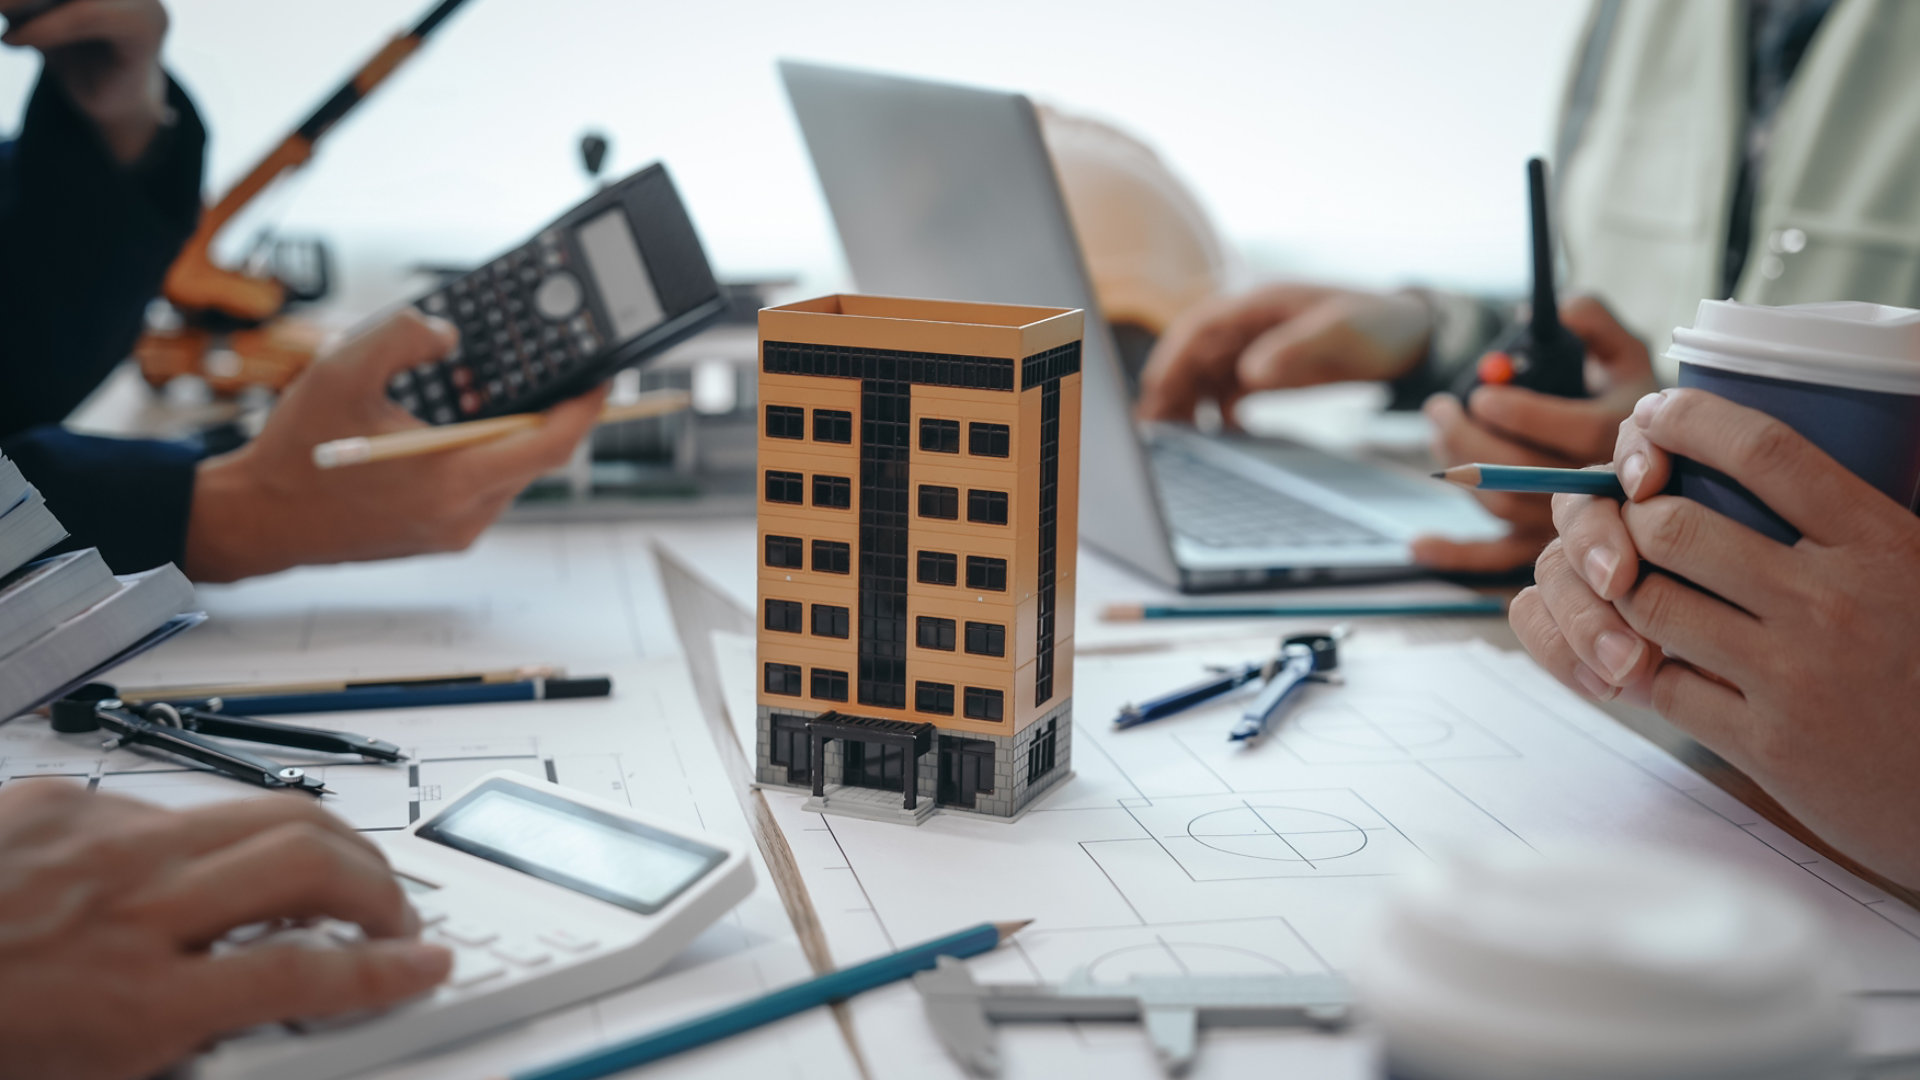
x,y
1508,426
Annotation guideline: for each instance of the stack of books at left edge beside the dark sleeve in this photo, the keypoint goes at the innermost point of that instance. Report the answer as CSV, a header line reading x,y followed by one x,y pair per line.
x,y
68,620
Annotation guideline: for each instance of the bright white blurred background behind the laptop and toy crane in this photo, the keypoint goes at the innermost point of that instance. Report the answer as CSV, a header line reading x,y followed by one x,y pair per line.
x,y
1370,141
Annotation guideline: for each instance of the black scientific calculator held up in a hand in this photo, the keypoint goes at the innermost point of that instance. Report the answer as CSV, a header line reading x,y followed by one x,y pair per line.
x,y
613,282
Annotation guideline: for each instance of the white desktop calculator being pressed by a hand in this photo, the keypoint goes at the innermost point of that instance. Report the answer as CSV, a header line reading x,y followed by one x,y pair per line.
x,y
546,898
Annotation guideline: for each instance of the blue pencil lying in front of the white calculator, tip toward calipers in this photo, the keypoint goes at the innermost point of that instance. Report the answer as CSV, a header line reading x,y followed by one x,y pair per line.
x,y
777,1006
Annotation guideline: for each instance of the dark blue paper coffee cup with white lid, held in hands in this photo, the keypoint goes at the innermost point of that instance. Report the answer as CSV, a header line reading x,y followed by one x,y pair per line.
x,y
1846,376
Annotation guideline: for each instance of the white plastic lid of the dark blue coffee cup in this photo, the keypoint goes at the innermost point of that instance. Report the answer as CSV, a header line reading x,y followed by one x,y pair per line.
x,y
1850,345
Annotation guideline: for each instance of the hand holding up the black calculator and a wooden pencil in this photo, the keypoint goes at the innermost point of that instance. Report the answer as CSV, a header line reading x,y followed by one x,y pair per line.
x,y
266,506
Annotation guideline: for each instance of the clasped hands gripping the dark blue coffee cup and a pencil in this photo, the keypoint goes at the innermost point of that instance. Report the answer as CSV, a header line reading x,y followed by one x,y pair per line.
x,y
1794,664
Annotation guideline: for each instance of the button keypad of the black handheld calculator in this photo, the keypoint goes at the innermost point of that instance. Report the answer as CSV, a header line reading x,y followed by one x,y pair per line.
x,y
523,326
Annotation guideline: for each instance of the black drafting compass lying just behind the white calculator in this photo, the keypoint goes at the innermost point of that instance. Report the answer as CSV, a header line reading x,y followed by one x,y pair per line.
x,y
185,733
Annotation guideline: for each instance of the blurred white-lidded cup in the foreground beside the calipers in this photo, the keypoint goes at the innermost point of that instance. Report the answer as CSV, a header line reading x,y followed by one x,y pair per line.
x,y
1602,964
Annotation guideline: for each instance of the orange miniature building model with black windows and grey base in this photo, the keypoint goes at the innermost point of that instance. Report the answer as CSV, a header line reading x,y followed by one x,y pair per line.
x,y
919,522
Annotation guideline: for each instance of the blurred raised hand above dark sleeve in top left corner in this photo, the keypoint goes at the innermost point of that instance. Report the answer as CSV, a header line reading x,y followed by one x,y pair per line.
x,y
107,59
